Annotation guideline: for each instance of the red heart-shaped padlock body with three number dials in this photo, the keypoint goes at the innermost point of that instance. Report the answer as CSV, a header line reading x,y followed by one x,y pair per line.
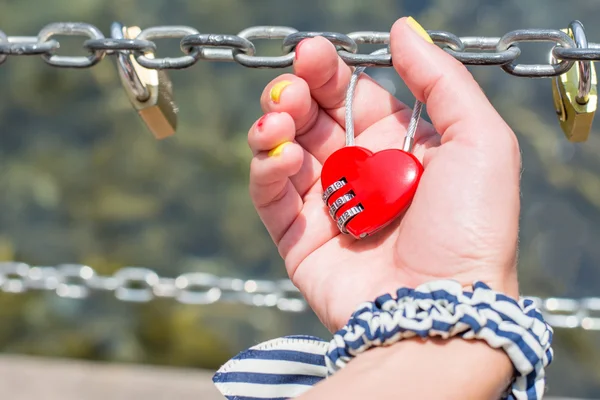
x,y
365,191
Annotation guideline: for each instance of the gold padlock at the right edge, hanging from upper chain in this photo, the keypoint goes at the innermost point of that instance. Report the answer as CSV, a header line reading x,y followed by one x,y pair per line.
x,y
575,93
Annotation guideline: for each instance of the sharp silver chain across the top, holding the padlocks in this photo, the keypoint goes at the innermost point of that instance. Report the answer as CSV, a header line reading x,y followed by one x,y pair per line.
x,y
500,51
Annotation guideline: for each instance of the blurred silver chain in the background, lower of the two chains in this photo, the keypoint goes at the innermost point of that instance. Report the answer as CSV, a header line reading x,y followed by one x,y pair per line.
x,y
141,285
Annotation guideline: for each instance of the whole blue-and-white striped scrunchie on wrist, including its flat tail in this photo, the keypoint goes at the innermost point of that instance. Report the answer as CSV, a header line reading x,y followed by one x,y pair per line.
x,y
287,367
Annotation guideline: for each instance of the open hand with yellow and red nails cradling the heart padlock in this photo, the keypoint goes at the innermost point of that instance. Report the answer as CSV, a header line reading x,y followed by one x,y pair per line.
x,y
463,221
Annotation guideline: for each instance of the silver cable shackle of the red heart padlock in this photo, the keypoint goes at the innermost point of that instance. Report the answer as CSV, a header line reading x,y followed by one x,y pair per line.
x,y
349,118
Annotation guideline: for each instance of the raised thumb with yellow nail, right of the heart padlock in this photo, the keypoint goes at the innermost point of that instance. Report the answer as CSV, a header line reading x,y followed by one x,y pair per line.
x,y
456,104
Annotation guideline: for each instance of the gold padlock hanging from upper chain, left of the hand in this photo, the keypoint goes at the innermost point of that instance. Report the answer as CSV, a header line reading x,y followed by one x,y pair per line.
x,y
150,91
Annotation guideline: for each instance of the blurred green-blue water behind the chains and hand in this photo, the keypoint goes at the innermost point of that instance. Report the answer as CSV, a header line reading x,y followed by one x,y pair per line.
x,y
83,181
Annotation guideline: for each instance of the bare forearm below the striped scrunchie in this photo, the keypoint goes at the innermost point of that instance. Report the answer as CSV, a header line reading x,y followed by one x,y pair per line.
x,y
421,369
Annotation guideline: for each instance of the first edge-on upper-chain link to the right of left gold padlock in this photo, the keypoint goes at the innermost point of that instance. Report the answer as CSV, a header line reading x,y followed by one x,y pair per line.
x,y
204,41
